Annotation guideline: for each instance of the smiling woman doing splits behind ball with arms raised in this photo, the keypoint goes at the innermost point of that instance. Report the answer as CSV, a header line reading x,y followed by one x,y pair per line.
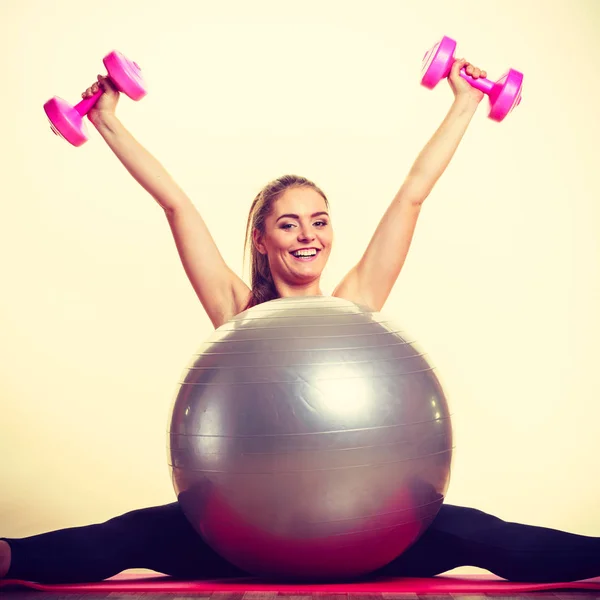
x,y
291,236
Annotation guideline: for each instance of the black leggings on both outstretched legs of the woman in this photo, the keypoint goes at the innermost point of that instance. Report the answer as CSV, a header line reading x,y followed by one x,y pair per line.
x,y
161,539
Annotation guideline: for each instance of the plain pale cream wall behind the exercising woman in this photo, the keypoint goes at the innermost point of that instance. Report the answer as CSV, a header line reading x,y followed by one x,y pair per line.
x,y
502,285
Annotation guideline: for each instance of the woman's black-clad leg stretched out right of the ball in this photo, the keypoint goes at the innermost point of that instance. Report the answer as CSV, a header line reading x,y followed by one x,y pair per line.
x,y
468,537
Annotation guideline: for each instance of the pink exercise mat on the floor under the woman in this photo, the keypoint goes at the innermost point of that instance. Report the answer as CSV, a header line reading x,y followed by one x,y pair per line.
x,y
132,581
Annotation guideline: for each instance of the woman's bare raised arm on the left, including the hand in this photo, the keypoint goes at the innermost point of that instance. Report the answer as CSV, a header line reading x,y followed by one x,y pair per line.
x,y
221,292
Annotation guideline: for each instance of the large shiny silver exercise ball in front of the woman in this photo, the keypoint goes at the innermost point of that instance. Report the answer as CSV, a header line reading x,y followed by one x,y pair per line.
x,y
309,439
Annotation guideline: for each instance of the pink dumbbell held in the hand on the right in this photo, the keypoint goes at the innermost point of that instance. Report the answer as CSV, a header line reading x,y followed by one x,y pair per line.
x,y
504,94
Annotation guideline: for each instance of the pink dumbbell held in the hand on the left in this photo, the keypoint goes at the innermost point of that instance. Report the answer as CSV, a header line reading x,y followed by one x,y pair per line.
x,y
67,120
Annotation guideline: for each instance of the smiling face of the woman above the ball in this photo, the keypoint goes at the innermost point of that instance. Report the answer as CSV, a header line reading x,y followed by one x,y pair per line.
x,y
298,236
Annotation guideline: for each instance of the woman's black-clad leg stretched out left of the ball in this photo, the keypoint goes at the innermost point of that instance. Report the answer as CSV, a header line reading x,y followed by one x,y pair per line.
x,y
158,538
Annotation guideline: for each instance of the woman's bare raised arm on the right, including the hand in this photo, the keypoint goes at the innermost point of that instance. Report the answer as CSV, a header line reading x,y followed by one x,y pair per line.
x,y
371,280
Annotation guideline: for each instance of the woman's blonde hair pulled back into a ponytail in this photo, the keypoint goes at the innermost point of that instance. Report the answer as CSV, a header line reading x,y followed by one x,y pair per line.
x,y
262,284
